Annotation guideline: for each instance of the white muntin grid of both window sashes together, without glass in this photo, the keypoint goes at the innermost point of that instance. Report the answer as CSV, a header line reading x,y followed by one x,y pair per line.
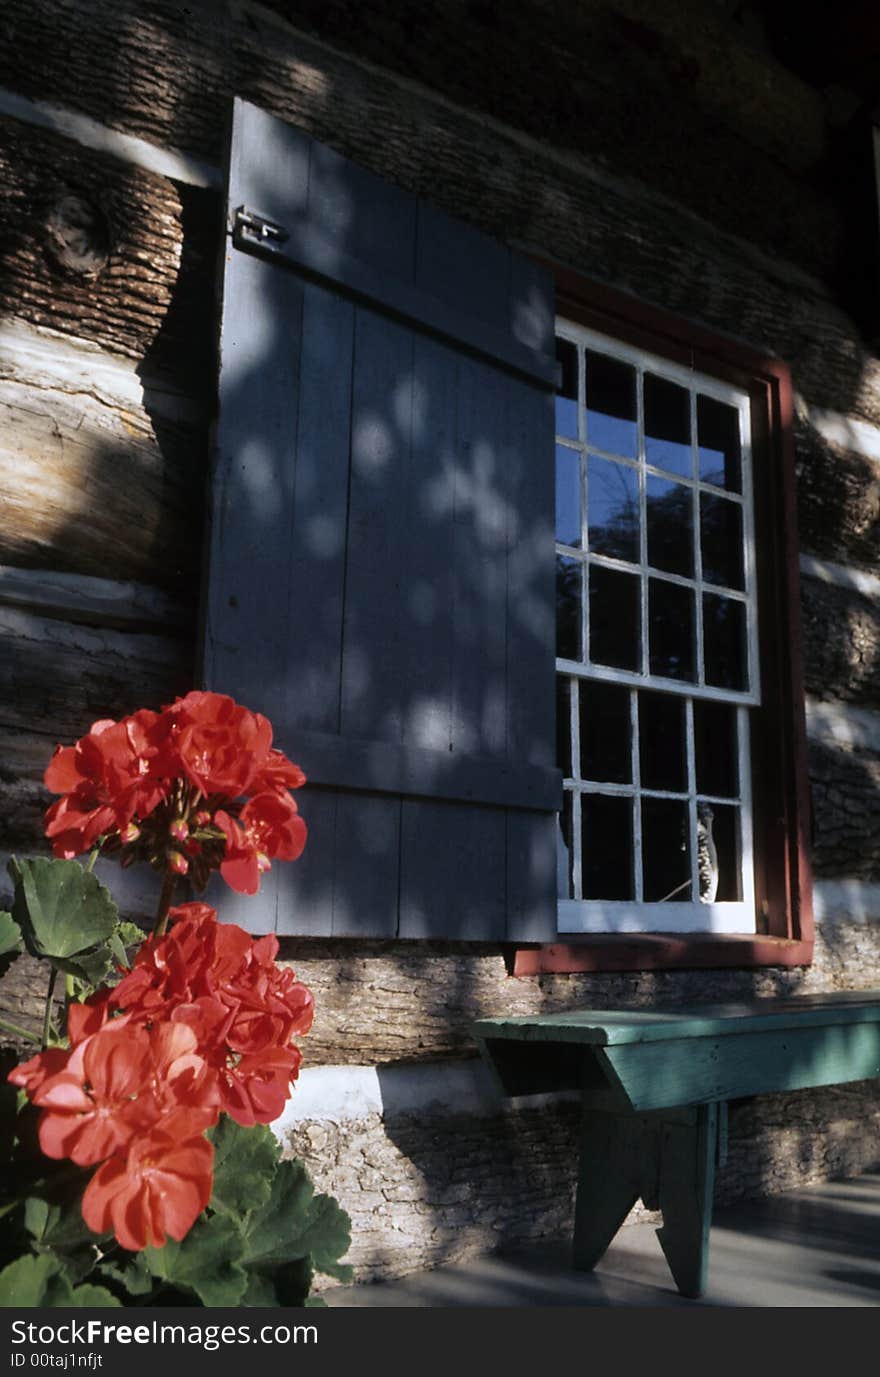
x,y
579,915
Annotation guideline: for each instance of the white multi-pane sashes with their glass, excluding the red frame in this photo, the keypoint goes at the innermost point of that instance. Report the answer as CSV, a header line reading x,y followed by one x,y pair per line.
x,y
658,644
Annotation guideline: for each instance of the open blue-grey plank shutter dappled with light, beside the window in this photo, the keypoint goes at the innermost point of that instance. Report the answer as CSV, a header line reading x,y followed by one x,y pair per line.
x,y
381,576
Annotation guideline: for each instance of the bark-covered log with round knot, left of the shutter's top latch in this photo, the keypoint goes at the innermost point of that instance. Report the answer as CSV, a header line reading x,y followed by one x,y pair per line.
x,y
109,254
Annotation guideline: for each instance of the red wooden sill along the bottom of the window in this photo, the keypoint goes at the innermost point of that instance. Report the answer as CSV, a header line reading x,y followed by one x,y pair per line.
x,y
659,952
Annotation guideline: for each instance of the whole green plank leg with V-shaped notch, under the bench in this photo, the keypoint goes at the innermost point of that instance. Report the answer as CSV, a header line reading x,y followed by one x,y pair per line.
x,y
667,1160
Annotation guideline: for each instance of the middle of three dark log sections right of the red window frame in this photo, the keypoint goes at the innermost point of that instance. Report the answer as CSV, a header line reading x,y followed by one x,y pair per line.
x,y
842,644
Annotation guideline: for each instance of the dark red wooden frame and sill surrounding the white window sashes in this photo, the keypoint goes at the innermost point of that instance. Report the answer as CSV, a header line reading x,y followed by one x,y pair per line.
x,y
780,781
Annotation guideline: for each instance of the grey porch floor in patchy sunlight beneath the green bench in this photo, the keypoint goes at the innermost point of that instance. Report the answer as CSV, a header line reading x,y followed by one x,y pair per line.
x,y
819,1247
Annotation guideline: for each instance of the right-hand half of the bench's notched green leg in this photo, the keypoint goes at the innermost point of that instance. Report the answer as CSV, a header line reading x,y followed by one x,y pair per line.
x,y
685,1196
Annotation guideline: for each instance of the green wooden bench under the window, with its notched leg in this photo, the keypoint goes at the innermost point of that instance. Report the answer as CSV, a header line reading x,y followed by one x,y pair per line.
x,y
655,1089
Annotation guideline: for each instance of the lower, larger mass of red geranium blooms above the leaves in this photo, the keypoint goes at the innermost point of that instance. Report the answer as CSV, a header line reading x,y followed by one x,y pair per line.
x,y
202,1024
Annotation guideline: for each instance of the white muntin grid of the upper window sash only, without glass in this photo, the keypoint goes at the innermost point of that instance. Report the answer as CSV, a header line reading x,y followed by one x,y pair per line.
x,y
696,385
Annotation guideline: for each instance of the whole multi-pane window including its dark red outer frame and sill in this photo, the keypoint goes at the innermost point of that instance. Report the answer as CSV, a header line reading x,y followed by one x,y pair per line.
x,y
684,838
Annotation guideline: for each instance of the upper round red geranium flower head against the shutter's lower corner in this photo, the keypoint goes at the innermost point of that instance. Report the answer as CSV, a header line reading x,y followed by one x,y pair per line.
x,y
195,788
